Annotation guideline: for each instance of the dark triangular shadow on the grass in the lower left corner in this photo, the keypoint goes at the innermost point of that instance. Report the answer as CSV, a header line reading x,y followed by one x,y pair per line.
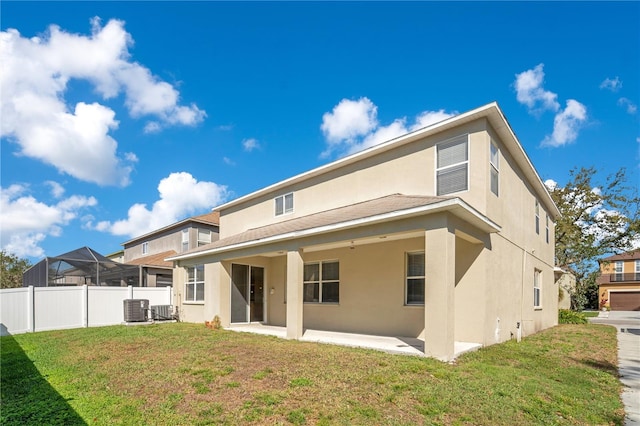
x,y
27,397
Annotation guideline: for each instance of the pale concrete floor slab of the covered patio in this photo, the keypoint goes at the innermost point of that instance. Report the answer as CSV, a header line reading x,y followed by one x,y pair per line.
x,y
389,344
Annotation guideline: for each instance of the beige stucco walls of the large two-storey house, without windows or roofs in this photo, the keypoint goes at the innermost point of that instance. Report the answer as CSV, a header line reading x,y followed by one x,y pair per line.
x,y
493,272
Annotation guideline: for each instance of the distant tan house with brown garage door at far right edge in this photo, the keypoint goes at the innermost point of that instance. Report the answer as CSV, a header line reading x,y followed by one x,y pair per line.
x,y
619,282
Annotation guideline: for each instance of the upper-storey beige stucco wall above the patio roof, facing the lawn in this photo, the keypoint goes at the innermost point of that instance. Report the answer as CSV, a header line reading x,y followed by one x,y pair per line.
x,y
408,170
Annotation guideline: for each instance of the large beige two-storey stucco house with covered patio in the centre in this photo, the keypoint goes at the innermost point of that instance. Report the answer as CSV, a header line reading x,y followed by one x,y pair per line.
x,y
445,234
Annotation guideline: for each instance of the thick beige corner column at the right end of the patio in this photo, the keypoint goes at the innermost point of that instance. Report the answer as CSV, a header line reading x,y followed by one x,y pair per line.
x,y
439,314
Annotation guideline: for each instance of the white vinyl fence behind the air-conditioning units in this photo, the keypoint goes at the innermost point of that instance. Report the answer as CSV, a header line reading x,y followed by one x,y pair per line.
x,y
30,309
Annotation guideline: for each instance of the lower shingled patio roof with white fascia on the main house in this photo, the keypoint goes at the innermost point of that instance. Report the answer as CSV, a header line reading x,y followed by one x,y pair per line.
x,y
370,212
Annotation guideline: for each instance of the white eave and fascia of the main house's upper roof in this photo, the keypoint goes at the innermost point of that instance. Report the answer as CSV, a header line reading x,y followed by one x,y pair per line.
x,y
491,112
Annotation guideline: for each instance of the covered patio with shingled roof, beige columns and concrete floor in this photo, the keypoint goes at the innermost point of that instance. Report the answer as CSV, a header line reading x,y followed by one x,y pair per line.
x,y
278,275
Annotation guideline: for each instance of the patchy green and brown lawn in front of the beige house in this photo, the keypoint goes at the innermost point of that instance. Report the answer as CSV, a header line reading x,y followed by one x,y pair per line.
x,y
186,374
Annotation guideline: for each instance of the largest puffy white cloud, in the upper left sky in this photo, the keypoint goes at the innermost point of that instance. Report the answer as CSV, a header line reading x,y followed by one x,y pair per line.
x,y
75,139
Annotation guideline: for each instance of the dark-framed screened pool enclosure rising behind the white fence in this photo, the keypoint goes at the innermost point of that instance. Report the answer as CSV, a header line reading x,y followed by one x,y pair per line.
x,y
80,267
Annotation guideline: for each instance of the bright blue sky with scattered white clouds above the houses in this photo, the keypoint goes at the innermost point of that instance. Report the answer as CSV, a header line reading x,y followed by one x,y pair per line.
x,y
122,117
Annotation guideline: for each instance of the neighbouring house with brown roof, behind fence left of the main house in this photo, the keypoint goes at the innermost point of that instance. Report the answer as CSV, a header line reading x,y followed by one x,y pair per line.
x,y
150,250
